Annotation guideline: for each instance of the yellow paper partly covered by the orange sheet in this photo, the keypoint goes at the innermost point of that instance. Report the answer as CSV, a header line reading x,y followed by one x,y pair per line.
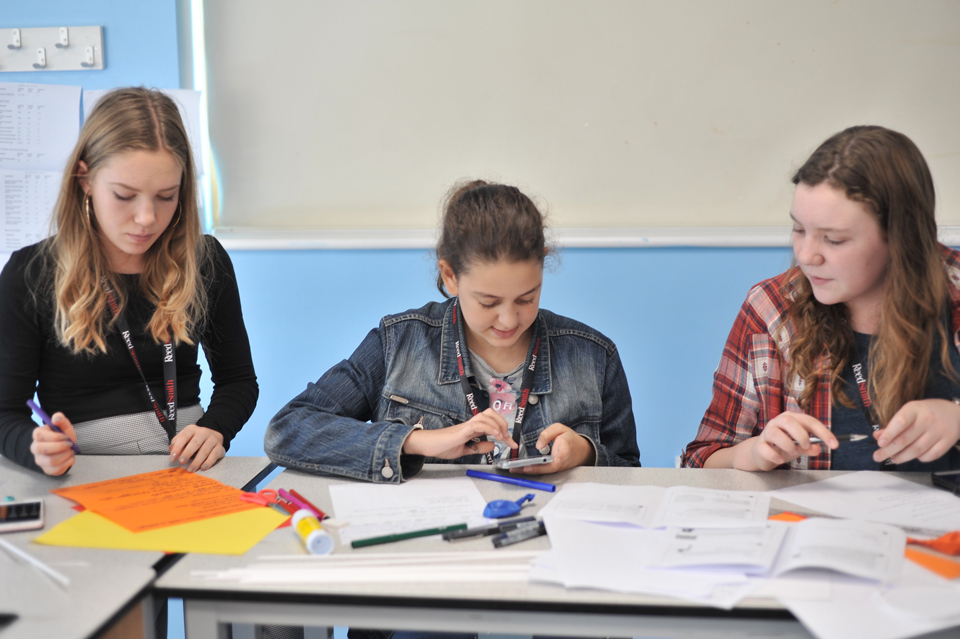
x,y
232,534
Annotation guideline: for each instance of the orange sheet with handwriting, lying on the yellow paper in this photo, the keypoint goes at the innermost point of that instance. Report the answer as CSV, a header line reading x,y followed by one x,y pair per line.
x,y
154,500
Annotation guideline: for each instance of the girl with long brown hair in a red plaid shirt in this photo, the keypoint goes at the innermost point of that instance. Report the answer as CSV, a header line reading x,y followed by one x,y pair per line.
x,y
859,336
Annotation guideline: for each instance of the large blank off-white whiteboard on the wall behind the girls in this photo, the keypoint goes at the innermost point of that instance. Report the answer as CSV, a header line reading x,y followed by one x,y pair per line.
x,y
360,114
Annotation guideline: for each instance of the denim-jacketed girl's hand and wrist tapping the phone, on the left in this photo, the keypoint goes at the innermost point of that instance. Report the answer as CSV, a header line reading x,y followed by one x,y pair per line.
x,y
456,441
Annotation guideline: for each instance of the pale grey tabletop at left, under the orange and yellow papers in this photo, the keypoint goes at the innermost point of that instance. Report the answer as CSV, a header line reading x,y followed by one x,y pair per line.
x,y
104,584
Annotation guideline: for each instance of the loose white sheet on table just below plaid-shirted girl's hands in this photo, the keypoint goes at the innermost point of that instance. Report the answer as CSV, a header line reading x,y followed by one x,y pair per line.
x,y
876,496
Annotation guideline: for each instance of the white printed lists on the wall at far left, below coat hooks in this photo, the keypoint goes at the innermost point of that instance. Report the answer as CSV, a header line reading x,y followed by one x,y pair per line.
x,y
39,125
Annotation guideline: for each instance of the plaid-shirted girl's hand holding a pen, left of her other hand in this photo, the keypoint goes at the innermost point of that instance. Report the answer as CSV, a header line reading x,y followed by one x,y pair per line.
x,y
784,438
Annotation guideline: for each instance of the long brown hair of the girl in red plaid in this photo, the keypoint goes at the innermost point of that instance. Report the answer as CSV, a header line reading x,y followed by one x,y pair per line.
x,y
885,171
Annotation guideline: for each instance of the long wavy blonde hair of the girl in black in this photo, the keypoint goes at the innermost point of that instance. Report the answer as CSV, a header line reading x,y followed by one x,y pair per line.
x,y
172,277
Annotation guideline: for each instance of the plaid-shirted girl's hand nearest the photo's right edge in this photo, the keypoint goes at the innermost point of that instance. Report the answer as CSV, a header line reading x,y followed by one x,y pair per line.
x,y
924,429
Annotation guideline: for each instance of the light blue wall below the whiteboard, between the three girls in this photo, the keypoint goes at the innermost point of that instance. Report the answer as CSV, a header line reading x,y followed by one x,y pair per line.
x,y
668,310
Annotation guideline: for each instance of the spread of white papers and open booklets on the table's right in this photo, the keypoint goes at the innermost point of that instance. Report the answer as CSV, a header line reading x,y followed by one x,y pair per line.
x,y
840,577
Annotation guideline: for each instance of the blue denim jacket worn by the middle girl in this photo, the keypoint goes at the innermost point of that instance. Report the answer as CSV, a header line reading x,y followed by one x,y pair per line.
x,y
354,420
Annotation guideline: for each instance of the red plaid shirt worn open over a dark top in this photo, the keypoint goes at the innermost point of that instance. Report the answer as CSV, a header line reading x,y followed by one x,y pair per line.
x,y
748,385
